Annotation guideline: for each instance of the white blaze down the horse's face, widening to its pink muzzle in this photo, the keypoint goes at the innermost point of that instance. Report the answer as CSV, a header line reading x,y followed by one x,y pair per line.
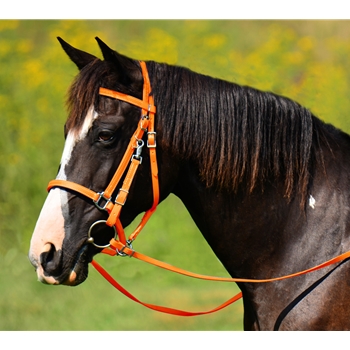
x,y
49,229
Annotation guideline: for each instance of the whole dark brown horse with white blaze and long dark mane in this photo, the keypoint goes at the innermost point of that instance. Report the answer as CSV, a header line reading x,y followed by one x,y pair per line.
x,y
266,182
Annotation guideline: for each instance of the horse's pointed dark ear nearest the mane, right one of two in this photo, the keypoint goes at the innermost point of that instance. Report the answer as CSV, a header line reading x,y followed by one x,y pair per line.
x,y
125,66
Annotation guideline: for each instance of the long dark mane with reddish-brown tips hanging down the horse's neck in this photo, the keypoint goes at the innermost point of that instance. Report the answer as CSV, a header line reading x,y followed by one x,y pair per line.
x,y
239,136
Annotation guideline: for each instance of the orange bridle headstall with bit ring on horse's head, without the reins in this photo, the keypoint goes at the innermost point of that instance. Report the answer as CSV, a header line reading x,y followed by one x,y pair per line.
x,y
132,158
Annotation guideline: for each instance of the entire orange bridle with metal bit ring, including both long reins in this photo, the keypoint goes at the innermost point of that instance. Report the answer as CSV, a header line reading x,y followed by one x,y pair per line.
x,y
103,201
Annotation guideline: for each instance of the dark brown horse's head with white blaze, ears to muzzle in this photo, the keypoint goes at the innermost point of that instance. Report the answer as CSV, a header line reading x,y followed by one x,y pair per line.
x,y
97,134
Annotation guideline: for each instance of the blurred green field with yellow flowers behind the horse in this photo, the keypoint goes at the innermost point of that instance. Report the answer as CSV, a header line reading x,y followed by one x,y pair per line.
x,y
305,60
